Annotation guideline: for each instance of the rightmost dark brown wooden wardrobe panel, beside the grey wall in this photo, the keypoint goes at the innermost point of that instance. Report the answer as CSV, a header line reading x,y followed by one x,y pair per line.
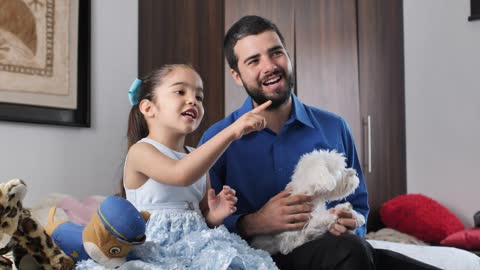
x,y
382,87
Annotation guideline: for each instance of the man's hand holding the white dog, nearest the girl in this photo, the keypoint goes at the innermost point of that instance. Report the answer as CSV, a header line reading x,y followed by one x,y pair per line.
x,y
282,212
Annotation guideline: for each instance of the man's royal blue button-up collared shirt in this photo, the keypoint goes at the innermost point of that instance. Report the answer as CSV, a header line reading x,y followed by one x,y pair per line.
x,y
260,164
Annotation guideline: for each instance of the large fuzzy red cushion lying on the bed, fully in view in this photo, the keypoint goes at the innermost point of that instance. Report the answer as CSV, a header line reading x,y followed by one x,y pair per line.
x,y
420,216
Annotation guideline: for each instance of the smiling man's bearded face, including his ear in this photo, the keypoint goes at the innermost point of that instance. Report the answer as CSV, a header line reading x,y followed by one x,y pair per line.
x,y
264,68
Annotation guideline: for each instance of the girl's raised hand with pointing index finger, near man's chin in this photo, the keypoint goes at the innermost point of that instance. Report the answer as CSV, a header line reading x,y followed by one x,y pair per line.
x,y
251,121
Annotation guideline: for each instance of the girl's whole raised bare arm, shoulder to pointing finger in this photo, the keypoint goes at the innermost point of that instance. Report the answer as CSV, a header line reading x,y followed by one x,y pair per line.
x,y
146,160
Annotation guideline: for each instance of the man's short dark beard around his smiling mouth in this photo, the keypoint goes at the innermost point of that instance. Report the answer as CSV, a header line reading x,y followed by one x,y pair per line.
x,y
259,97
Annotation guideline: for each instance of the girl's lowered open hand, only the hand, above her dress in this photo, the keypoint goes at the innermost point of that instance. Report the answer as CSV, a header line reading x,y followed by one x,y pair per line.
x,y
221,205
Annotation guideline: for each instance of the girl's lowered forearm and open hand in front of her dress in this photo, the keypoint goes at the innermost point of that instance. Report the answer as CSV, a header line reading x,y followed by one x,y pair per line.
x,y
215,208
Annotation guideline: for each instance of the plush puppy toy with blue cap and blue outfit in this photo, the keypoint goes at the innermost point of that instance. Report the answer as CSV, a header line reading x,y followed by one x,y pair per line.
x,y
107,238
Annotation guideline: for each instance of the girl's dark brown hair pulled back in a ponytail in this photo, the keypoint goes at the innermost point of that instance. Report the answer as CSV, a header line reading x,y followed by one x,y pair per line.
x,y
137,126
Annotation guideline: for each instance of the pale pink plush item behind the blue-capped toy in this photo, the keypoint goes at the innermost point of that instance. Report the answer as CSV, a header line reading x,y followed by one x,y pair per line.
x,y
80,212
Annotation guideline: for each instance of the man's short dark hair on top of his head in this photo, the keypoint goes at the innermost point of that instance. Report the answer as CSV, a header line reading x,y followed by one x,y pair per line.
x,y
246,26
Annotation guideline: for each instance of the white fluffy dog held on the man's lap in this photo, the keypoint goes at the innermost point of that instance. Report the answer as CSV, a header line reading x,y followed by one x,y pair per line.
x,y
322,175
